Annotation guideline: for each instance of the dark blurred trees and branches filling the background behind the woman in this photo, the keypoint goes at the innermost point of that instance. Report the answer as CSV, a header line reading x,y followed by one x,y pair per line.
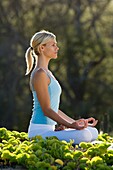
x,y
84,68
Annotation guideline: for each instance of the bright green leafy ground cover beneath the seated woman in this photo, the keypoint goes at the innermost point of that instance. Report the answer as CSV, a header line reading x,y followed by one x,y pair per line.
x,y
52,154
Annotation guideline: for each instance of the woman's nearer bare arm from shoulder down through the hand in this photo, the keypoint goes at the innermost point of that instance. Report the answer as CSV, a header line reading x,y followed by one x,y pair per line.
x,y
40,83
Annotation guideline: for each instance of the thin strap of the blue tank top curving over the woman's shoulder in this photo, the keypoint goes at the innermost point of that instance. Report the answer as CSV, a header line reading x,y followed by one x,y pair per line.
x,y
31,84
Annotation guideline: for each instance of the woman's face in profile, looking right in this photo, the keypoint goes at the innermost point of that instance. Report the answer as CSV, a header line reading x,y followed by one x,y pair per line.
x,y
50,49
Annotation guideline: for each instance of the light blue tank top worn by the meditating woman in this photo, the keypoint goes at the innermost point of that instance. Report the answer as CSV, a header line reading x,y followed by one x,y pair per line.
x,y
54,89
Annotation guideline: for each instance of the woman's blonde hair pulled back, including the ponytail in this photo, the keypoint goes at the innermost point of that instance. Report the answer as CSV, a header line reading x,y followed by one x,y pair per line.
x,y
33,51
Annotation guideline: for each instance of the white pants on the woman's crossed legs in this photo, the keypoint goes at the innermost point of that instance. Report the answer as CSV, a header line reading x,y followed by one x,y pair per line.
x,y
86,135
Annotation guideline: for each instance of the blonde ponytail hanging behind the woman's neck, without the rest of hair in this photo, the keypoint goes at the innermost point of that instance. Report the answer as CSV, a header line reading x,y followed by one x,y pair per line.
x,y
29,60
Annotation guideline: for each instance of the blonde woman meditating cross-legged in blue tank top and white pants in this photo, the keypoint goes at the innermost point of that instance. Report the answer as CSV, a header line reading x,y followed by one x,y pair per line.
x,y
46,92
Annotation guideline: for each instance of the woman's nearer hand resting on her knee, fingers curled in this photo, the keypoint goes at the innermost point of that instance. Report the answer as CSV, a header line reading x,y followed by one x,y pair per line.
x,y
80,124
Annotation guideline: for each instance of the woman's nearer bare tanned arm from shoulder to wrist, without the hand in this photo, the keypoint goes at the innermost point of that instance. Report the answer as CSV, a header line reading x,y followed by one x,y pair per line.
x,y
40,83
